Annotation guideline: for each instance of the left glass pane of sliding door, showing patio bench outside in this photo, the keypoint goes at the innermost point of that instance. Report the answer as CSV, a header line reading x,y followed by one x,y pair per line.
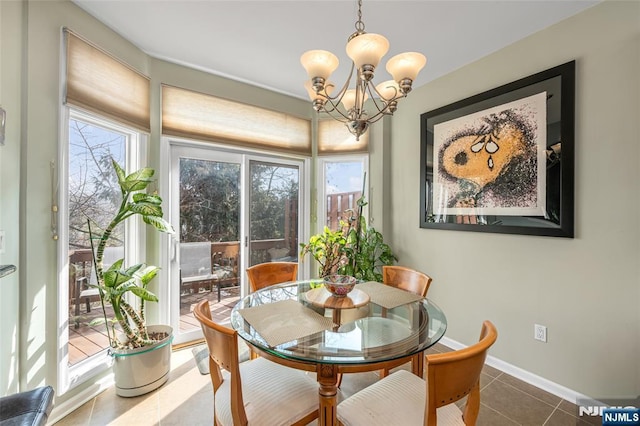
x,y
209,193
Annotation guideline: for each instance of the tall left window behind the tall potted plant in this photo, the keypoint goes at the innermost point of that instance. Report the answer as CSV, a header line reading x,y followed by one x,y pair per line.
x,y
90,196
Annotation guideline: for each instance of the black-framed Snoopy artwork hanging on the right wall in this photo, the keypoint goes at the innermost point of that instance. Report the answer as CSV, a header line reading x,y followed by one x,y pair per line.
x,y
503,160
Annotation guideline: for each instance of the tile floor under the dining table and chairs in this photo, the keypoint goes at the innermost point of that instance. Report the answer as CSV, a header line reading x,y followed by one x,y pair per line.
x,y
186,399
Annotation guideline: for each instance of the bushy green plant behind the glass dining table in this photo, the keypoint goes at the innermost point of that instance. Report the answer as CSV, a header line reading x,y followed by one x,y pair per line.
x,y
354,249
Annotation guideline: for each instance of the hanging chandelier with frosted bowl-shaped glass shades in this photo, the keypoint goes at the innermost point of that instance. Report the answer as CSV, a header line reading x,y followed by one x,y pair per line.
x,y
365,50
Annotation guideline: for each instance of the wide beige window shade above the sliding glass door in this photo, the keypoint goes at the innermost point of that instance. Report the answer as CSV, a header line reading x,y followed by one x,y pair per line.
x,y
199,116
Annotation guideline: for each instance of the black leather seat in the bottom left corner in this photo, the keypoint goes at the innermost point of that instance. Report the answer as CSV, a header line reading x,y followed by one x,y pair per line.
x,y
28,408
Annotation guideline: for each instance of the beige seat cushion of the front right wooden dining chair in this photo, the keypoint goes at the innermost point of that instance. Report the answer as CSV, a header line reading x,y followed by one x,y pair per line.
x,y
396,400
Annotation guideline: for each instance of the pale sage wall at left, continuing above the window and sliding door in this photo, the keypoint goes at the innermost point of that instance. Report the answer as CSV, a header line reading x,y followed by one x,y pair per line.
x,y
31,76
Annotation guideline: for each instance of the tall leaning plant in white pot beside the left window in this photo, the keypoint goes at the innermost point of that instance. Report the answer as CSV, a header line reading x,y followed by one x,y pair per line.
x,y
141,353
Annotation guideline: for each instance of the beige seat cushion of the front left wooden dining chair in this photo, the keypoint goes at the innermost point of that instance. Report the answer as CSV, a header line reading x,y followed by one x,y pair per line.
x,y
273,394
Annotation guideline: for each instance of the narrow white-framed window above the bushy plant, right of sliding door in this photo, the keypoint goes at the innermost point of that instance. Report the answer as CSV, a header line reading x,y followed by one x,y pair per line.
x,y
340,186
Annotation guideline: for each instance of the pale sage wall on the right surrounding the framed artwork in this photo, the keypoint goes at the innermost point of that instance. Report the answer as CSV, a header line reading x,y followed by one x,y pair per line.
x,y
585,290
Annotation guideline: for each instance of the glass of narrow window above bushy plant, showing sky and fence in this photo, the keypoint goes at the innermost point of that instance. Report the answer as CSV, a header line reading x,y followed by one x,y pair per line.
x,y
343,188
